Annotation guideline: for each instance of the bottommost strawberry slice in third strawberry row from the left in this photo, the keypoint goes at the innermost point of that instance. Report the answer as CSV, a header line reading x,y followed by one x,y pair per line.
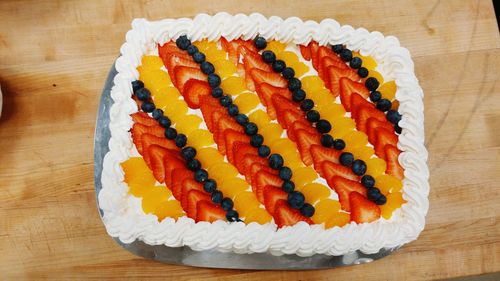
x,y
362,209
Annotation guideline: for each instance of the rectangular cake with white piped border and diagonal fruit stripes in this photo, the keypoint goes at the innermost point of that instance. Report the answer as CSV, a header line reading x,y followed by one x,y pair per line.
x,y
249,134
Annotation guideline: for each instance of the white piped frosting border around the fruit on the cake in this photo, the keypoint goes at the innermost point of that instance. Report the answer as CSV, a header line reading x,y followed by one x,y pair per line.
x,y
124,217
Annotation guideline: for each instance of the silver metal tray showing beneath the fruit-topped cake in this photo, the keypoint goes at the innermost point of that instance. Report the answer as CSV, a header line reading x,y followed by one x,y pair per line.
x,y
212,258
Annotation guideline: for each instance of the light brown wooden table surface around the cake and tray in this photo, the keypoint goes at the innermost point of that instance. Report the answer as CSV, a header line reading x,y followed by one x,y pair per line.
x,y
54,58
